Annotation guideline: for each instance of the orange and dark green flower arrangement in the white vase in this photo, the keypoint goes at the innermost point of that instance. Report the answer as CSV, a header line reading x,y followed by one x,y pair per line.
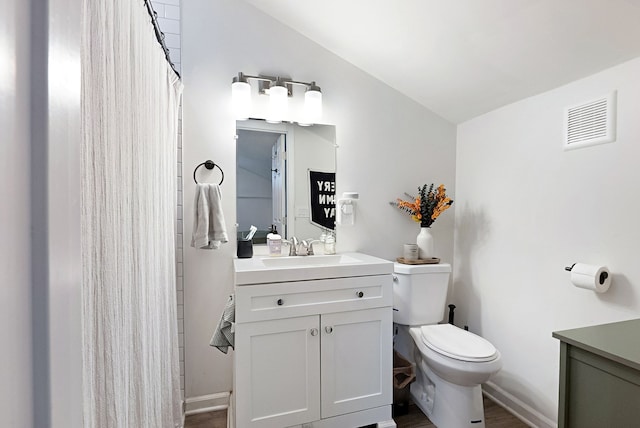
x,y
427,206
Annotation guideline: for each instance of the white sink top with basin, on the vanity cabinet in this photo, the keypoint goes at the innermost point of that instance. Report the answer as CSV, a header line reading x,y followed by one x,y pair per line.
x,y
259,270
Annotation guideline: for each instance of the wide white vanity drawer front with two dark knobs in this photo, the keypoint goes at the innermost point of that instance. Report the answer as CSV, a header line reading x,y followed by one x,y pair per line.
x,y
293,299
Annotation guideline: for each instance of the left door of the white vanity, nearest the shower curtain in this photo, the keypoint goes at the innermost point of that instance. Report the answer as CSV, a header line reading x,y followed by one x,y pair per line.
x,y
277,369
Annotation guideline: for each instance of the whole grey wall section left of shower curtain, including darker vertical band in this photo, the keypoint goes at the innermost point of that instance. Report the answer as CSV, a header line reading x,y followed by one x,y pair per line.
x,y
40,306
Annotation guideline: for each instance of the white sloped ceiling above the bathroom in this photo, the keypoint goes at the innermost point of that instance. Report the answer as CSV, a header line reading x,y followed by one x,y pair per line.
x,y
462,58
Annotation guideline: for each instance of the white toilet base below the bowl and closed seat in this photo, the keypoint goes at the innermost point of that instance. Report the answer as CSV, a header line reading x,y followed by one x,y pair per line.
x,y
445,404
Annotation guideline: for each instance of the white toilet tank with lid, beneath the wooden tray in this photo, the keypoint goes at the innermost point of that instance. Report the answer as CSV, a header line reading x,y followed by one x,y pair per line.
x,y
420,293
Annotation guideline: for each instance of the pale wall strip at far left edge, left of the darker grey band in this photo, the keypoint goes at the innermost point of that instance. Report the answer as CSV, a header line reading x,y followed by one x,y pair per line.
x,y
15,305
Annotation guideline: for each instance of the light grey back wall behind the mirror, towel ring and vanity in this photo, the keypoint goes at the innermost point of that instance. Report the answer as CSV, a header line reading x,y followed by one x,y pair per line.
x,y
388,145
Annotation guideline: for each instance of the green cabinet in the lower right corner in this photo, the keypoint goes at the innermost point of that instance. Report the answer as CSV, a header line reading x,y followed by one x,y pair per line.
x,y
600,376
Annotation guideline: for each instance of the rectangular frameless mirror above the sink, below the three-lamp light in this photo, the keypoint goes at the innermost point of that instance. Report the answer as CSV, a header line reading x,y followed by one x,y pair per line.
x,y
285,179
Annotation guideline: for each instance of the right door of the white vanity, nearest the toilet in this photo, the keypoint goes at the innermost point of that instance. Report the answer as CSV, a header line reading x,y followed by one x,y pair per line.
x,y
356,360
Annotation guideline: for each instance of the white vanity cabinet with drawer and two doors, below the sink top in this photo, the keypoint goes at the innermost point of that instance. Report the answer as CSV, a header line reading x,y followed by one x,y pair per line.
x,y
314,354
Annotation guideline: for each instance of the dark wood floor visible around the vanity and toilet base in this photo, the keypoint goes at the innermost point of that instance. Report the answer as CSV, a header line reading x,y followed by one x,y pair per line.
x,y
495,417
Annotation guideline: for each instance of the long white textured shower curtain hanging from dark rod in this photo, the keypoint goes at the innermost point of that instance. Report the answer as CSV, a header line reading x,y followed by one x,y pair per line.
x,y
130,99
